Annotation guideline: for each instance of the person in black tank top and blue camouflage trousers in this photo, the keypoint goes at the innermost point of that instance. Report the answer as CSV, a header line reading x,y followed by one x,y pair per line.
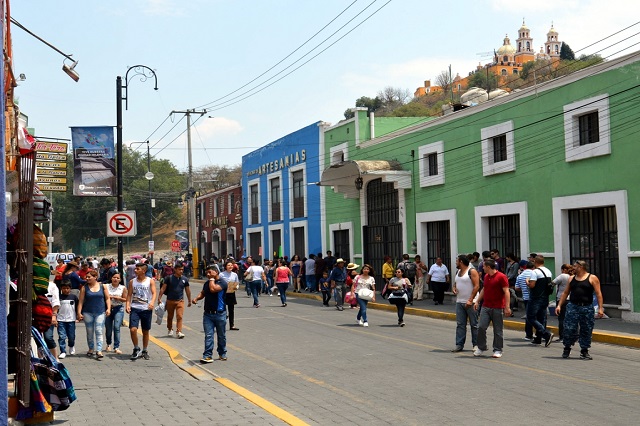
x,y
579,313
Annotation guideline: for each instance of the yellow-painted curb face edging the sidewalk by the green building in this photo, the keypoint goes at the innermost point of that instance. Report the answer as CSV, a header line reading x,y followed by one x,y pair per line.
x,y
597,336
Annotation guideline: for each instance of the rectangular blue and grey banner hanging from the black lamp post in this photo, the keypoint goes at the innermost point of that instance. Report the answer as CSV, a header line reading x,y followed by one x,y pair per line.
x,y
94,166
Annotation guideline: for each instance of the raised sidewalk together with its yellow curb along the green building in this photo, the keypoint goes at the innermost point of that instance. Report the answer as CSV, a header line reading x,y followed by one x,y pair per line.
x,y
610,330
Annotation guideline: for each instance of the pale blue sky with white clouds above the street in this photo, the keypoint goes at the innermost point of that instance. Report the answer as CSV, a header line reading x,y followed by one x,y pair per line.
x,y
237,59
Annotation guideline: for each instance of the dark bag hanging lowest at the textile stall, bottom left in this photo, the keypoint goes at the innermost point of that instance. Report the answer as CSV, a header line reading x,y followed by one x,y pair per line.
x,y
53,376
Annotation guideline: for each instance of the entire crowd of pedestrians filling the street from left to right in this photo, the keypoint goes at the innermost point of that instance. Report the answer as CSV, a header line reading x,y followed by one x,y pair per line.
x,y
485,291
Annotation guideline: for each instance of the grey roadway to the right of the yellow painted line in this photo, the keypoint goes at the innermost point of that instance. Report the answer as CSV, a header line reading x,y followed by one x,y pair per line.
x,y
319,365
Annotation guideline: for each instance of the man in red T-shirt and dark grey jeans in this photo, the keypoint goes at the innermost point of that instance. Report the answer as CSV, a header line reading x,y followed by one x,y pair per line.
x,y
495,295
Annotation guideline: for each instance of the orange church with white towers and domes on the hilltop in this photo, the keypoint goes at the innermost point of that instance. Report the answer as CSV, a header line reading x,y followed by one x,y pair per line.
x,y
508,60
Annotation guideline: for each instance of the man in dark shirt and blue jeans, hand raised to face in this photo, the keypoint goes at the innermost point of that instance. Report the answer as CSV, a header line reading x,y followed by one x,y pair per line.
x,y
214,317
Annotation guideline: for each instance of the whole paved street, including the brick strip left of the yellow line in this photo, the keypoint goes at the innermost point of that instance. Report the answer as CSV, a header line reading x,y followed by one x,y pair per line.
x,y
308,364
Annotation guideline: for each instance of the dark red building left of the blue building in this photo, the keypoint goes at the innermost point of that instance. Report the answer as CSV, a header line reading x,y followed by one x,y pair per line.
x,y
219,218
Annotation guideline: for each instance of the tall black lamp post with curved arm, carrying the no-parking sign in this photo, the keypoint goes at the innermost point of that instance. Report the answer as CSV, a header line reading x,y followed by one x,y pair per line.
x,y
145,73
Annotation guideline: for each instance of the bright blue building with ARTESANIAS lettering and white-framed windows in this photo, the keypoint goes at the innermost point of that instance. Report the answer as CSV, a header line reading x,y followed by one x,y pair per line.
x,y
282,208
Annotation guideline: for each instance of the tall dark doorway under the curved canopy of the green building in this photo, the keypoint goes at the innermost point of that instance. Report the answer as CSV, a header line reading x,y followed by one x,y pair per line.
x,y
382,236
